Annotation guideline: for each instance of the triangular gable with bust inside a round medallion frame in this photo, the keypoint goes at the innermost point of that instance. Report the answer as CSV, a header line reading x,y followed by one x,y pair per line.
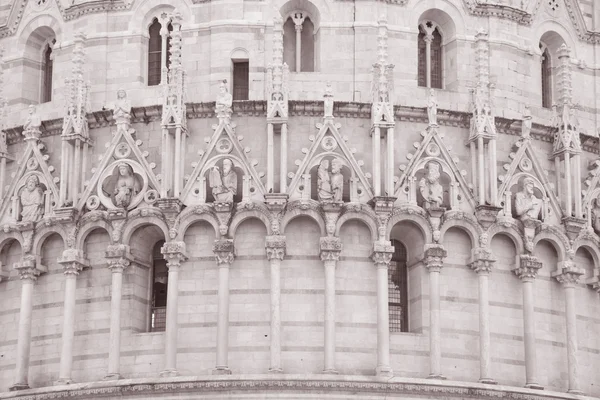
x,y
113,189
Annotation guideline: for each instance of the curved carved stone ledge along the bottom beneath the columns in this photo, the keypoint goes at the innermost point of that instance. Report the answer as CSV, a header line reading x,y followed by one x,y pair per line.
x,y
284,383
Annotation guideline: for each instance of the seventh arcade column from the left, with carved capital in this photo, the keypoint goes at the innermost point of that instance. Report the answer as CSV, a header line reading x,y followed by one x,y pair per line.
x,y
330,254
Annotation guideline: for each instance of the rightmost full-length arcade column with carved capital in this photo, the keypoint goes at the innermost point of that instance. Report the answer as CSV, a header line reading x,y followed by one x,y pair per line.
x,y
568,275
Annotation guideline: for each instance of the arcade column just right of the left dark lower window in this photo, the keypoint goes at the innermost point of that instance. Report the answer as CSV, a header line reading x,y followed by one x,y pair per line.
x,y
174,254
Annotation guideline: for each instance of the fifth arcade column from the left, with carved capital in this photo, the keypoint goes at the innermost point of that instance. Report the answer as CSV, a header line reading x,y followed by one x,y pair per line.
x,y
223,250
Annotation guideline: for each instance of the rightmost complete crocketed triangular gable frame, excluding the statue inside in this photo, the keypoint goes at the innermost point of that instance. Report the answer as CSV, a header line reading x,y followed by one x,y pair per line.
x,y
525,163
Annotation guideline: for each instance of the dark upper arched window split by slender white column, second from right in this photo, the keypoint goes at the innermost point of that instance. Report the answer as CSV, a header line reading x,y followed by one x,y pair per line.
x,y
430,69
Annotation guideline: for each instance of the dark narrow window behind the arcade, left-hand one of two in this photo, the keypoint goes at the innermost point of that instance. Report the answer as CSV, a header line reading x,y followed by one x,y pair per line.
x,y
160,280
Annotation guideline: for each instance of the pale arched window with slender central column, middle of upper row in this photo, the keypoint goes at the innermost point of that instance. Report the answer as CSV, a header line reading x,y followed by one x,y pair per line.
x,y
299,42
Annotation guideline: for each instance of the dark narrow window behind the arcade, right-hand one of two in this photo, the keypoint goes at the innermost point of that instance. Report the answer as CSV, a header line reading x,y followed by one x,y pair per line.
x,y
398,289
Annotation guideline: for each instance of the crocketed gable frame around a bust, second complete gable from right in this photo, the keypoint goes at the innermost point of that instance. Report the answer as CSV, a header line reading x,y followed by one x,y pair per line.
x,y
432,149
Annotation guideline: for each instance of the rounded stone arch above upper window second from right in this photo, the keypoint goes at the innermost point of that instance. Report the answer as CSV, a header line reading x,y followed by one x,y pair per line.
x,y
446,15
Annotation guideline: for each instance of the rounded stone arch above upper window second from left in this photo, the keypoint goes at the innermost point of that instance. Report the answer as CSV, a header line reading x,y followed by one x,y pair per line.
x,y
145,12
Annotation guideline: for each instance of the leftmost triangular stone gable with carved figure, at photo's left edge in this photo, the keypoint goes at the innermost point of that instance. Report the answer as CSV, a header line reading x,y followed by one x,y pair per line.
x,y
32,163
